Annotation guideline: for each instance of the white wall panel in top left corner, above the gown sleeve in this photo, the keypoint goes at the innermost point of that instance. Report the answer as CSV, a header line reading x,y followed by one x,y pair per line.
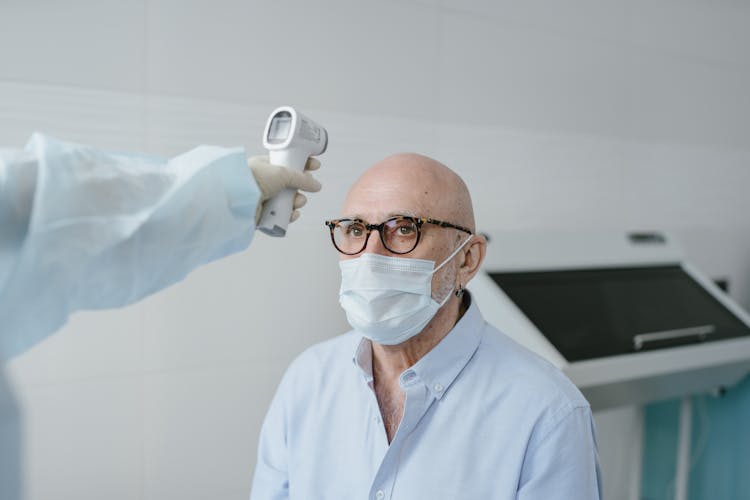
x,y
81,43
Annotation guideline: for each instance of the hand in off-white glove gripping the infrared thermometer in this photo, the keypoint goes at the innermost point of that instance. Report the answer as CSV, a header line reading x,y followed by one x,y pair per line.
x,y
272,179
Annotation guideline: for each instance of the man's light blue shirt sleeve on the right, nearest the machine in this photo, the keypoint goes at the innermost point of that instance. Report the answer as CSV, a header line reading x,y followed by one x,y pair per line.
x,y
562,461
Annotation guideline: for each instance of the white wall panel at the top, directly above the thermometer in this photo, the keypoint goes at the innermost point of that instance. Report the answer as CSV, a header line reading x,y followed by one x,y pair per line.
x,y
355,56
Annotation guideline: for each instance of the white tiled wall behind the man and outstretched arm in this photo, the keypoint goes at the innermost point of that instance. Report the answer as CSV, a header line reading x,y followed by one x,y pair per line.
x,y
617,114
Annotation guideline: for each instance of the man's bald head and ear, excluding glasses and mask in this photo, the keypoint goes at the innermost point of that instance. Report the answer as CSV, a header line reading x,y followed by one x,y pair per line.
x,y
414,185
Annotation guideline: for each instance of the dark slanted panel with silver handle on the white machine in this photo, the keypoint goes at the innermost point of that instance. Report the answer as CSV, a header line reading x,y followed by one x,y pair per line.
x,y
596,313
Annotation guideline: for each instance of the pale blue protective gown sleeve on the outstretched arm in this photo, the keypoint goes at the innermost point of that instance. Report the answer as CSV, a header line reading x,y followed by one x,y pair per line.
x,y
100,230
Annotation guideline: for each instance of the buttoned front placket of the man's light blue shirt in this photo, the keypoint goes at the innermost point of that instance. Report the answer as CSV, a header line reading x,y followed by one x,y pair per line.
x,y
416,404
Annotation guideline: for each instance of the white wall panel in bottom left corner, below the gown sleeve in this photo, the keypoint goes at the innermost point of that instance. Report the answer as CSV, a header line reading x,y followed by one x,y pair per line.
x,y
83,439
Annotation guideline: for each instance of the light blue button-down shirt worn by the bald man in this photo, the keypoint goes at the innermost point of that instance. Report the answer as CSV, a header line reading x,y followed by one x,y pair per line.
x,y
483,419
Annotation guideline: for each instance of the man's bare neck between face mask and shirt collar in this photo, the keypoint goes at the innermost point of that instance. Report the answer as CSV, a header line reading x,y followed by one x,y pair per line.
x,y
388,362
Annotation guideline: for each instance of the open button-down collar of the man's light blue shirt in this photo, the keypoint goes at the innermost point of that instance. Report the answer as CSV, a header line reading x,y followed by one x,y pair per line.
x,y
438,368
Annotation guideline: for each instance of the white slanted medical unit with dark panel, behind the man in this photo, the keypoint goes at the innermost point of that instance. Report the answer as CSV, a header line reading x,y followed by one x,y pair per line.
x,y
625,317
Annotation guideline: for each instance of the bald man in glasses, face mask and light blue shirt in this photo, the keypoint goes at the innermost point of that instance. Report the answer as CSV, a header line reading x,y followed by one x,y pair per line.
x,y
422,399
